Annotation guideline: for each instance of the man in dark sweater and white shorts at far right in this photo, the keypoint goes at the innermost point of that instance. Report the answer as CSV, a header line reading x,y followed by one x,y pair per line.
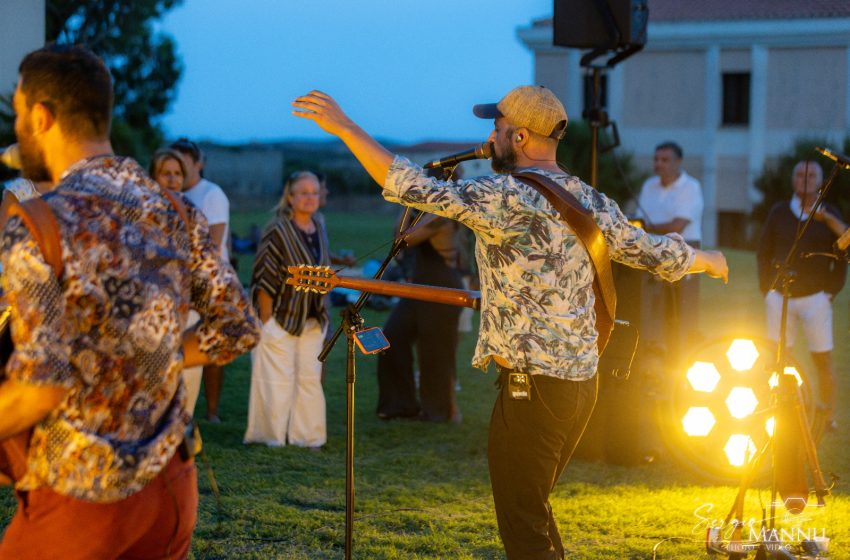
x,y
817,278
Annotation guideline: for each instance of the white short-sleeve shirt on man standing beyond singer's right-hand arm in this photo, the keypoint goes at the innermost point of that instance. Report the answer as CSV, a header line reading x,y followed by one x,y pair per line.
x,y
682,199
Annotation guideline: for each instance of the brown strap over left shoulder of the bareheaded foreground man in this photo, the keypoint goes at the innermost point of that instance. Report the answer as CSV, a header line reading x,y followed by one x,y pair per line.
x,y
40,222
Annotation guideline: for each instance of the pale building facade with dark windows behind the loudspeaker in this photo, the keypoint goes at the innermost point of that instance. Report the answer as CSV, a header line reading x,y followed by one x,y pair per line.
x,y
734,83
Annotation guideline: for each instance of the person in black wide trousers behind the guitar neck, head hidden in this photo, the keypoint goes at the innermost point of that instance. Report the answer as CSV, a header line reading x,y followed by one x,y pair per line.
x,y
431,326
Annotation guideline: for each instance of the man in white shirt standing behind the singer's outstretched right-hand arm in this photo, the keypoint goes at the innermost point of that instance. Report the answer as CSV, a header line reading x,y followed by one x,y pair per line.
x,y
671,202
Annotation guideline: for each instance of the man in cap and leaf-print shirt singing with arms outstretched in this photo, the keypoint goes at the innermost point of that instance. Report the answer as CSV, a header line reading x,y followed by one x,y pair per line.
x,y
537,312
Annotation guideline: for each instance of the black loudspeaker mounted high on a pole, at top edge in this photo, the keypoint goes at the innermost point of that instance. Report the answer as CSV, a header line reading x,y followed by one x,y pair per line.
x,y
600,24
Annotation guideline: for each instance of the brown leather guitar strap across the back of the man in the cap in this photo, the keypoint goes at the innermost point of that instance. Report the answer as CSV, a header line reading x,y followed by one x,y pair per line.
x,y
580,219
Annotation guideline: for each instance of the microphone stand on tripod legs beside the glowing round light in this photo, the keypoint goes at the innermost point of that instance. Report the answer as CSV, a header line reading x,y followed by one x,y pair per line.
x,y
788,395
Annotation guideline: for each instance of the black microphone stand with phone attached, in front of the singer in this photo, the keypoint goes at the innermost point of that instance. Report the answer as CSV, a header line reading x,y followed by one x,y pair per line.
x,y
352,322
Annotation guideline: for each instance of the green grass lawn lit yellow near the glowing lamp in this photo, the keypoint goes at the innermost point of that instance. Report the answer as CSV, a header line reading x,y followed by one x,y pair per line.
x,y
423,490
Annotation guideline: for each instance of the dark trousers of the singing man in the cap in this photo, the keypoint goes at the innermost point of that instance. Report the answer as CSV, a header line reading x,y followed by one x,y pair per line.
x,y
530,443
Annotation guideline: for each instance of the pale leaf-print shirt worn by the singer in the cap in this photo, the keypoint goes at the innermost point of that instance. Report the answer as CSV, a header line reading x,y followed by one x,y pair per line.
x,y
536,277
